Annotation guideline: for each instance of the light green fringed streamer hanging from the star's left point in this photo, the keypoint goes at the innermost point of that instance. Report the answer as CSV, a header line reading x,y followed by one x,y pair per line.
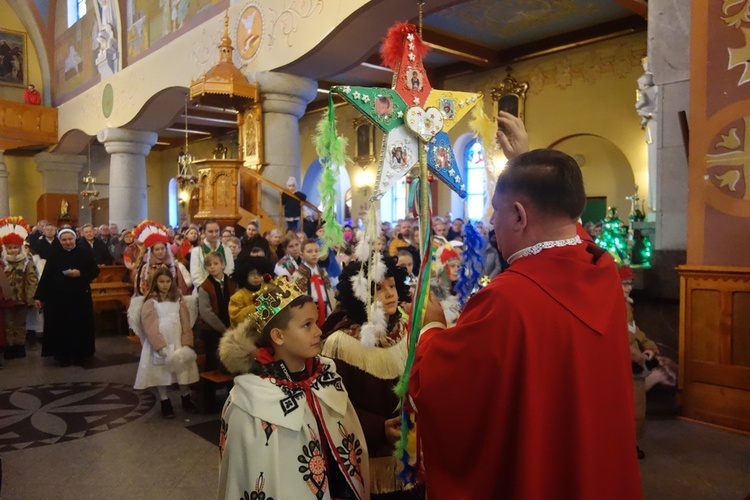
x,y
331,150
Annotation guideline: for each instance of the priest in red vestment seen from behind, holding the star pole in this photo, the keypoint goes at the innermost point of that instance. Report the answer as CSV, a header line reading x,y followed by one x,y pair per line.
x,y
530,395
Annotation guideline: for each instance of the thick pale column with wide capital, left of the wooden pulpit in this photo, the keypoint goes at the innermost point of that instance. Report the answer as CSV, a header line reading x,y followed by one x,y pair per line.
x,y
128,203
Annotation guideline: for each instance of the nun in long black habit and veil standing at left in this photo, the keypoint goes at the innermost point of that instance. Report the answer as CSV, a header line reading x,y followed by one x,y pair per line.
x,y
65,294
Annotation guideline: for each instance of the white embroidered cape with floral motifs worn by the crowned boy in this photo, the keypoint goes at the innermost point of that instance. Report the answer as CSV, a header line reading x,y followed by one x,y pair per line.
x,y
275,433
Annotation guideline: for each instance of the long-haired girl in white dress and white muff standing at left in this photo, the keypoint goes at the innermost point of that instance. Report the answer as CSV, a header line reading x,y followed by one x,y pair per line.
x,y
163,320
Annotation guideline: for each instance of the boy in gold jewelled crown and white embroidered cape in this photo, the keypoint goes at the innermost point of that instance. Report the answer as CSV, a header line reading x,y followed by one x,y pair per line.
x,y
288,429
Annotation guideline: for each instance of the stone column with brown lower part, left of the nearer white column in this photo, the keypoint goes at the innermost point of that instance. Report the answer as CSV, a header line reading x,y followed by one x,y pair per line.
x,y
60,186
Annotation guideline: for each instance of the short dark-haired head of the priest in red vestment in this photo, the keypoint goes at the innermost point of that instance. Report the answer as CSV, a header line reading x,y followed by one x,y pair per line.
x,y
538,197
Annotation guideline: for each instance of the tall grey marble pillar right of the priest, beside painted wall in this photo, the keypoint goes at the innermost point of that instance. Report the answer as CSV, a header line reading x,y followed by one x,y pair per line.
x,y
669,61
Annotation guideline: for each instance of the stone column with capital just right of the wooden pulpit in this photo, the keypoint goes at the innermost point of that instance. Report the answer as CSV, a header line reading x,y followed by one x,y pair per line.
x,y
285,98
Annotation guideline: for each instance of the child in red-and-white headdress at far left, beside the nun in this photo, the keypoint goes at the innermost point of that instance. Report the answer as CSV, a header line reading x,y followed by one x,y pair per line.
x,y
21,282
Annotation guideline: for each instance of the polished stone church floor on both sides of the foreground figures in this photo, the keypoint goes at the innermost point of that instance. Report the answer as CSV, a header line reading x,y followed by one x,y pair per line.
x,y
74,433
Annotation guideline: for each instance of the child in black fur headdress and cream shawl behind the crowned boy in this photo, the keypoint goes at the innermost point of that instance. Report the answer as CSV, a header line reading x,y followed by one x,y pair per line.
x,y
370,355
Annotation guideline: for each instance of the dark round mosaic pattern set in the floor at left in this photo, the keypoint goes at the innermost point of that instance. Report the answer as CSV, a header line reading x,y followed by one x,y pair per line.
x,y
55,413
